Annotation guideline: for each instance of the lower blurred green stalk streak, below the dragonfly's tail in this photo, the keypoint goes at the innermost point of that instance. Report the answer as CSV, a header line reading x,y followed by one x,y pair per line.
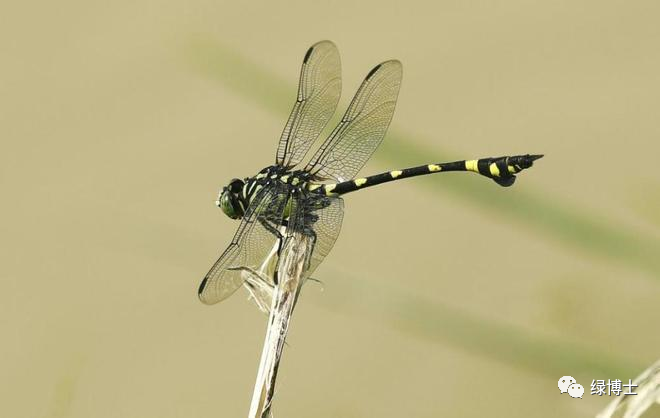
x,y
429,320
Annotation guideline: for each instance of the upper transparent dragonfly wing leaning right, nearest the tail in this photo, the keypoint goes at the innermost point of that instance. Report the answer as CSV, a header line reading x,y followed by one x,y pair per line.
x,y
362,128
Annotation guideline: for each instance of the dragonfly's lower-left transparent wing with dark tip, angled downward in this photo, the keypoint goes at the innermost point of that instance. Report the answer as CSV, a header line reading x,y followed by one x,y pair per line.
x,y
252,244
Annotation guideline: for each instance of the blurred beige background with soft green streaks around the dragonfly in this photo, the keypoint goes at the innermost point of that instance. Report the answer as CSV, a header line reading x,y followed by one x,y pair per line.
x,y
446,296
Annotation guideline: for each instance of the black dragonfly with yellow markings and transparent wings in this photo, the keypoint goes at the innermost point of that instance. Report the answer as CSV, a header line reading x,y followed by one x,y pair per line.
x,y
308,199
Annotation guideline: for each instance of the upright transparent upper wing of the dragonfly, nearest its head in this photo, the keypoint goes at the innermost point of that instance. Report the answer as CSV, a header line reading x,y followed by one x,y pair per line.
x,y
319,89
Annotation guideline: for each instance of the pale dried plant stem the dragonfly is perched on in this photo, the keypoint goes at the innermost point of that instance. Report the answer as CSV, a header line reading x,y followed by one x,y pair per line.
x,y
290,272
